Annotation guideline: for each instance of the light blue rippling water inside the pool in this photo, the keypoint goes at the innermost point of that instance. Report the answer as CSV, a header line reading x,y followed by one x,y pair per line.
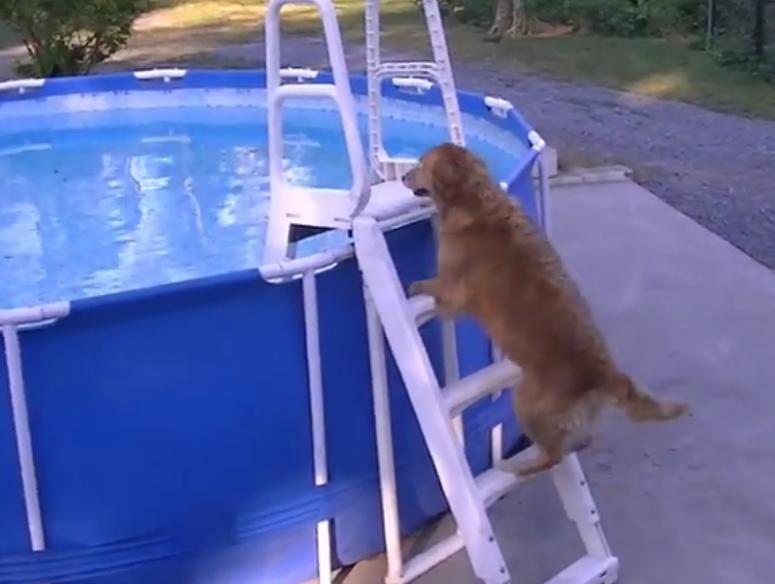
x,y
107,201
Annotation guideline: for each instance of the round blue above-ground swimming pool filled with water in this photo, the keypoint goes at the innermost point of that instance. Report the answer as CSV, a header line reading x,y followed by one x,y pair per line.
x,y
168,400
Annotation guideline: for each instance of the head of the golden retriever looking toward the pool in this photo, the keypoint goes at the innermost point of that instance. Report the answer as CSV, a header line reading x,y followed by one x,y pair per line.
x,y
451,175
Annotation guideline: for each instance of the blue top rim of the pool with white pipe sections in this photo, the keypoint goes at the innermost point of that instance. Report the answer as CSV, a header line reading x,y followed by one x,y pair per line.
x,y
499,112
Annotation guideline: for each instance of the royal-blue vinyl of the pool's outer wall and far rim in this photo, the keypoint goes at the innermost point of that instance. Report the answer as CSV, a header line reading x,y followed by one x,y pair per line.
x,y
171,426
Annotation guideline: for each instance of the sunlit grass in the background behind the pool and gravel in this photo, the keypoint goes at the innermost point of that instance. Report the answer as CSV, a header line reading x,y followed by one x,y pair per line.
x,y
654,67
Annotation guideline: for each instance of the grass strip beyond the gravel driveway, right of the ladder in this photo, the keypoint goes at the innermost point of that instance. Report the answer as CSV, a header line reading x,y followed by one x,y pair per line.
x,y
666,69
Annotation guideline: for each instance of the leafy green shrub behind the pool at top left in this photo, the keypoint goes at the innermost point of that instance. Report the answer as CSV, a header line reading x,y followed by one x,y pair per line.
x,y
69,37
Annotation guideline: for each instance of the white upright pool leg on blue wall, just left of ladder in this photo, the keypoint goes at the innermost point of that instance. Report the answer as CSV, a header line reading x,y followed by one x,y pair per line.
x,y
317,413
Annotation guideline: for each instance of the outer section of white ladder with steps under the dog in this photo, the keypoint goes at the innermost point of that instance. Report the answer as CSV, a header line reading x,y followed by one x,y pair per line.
x,y
390,310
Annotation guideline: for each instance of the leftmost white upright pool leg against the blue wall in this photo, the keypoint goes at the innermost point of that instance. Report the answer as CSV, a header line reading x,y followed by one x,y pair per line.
x,y
21,424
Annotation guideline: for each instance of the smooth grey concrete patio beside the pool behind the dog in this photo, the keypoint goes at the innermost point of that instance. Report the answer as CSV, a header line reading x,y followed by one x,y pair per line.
x,y
692,501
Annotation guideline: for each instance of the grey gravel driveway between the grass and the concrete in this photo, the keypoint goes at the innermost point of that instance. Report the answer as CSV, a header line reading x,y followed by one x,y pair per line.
x,y
716,168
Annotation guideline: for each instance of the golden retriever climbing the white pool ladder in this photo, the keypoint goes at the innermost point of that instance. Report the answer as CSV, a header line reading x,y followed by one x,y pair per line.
x,y
496,266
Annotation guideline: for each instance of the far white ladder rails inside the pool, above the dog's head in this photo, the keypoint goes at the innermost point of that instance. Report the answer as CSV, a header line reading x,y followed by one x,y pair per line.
x,y
407,75
